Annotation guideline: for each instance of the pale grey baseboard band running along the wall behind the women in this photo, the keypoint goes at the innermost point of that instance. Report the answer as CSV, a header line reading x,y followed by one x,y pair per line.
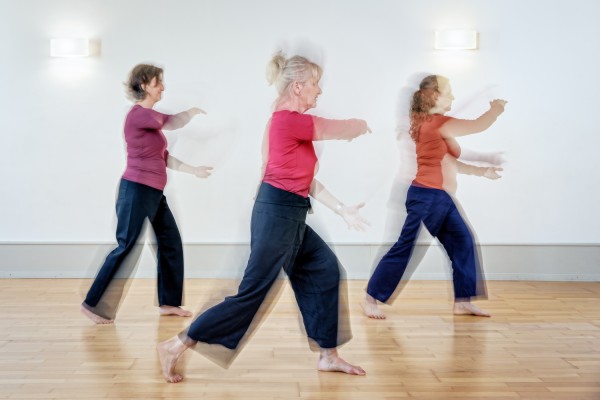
x,y
544,262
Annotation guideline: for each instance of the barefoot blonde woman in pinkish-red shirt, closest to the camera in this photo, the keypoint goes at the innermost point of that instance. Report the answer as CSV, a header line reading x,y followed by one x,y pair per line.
x,y
280,236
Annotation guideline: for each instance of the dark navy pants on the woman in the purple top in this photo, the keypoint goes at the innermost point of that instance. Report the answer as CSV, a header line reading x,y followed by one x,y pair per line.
x,y
135,203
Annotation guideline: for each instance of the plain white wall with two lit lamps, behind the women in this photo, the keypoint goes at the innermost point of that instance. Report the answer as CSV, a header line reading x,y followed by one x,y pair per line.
x,y
62,119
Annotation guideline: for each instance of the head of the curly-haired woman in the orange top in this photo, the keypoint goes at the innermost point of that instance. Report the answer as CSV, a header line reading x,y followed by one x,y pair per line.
x,y
434,96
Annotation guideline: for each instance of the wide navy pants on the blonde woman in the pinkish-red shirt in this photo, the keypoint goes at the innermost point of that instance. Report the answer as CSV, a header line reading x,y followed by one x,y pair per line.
x,y
280,239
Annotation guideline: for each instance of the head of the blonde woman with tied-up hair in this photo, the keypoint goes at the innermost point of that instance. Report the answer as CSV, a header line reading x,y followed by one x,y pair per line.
x,y
295,76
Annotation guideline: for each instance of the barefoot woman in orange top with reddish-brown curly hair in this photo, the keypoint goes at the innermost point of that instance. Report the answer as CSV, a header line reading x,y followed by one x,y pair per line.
x,y
428,201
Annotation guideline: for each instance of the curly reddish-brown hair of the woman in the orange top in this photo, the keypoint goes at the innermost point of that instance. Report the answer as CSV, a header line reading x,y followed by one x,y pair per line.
x,y
423,101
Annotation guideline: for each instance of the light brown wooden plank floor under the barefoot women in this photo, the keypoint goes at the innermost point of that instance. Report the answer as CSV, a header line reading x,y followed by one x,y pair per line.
x,y
543,342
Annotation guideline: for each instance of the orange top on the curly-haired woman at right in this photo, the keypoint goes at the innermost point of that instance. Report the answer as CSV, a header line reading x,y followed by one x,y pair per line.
x,y
431,149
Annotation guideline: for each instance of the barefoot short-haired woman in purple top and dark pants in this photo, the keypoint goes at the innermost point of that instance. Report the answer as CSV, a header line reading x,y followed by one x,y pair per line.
x,y
141,197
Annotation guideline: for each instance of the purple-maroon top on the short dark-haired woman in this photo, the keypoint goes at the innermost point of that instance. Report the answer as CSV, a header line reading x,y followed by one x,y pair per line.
x,y
146,147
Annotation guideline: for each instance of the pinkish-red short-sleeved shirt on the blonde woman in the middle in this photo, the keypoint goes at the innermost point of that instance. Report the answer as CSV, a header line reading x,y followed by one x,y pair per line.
x,y
292,158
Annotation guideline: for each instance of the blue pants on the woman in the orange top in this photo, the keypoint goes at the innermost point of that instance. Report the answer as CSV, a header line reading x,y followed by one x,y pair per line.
x,y
437,211
